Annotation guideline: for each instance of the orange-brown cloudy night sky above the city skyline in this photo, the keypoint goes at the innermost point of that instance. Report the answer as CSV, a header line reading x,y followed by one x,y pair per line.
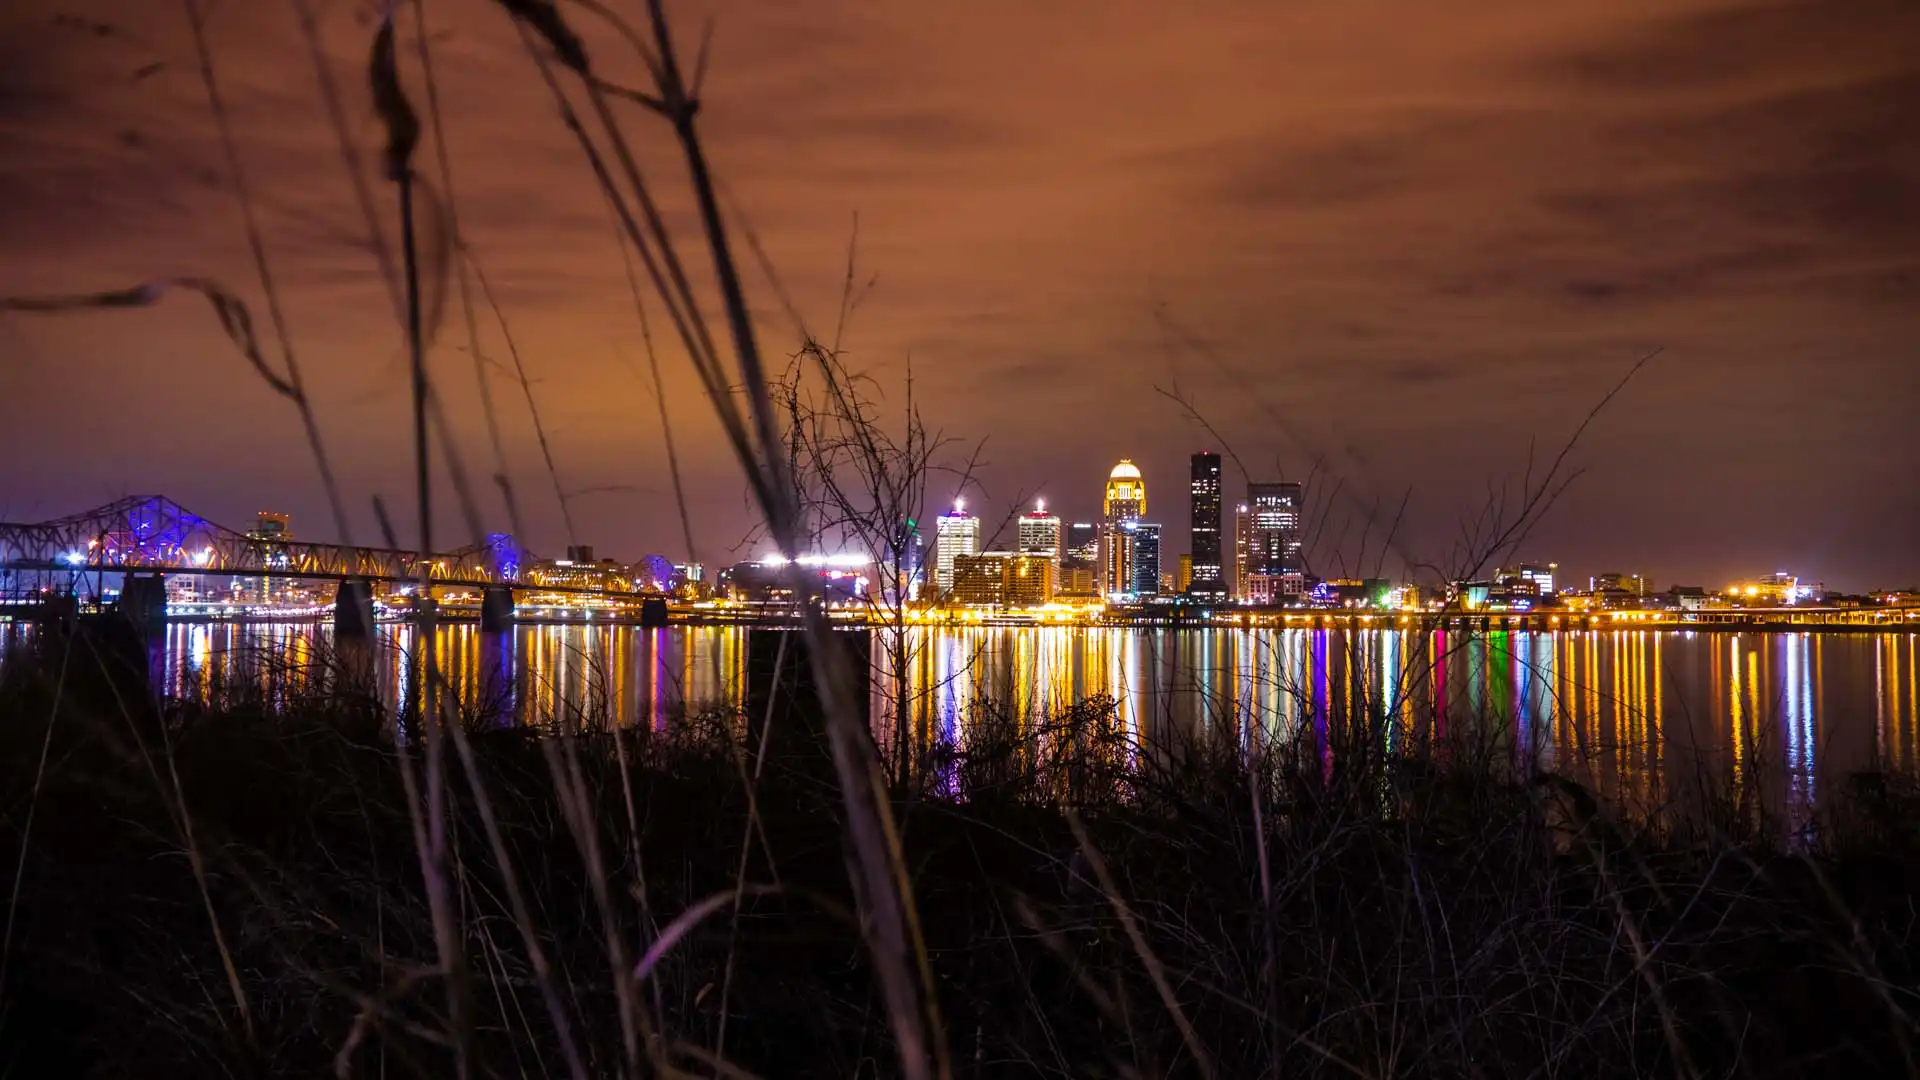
x,y
1395,247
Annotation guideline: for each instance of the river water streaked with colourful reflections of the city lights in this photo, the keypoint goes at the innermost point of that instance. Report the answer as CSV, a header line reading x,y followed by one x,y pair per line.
x,y
1650,718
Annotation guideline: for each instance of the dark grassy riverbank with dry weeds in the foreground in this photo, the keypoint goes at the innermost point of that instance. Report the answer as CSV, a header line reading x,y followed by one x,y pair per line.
x,y
239,891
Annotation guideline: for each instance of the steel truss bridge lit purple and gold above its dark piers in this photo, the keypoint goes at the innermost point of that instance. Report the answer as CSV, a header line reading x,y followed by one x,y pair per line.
x,y
156,535
